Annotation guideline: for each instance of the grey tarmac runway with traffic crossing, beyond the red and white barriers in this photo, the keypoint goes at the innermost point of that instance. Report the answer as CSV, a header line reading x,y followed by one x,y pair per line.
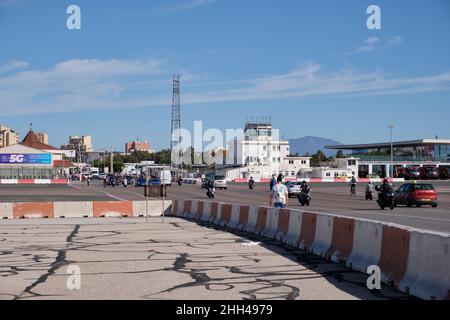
x,y
327,197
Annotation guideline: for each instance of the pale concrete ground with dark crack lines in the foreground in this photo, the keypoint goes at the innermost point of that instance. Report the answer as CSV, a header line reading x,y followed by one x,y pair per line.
x,y
131,259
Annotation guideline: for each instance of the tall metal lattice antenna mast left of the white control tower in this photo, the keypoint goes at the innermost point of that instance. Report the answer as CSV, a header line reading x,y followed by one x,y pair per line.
x,y
176,123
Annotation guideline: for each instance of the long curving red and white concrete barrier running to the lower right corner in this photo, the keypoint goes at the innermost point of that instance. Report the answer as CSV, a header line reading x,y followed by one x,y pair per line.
x,y
413,261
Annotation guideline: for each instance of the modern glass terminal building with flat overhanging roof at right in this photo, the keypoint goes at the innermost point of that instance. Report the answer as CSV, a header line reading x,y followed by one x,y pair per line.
x,y
376,158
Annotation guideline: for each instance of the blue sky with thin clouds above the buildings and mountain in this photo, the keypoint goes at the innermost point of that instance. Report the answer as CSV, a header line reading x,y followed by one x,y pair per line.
x,y
313,66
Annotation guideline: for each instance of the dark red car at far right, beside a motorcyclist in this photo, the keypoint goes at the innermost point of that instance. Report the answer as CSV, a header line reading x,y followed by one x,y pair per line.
x,y
416,194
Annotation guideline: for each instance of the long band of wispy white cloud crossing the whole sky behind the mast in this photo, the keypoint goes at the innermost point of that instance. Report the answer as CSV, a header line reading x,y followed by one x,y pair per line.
x,y
91,84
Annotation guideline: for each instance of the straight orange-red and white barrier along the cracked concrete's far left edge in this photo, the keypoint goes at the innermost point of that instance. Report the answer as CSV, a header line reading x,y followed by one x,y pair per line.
x,y
83,209
